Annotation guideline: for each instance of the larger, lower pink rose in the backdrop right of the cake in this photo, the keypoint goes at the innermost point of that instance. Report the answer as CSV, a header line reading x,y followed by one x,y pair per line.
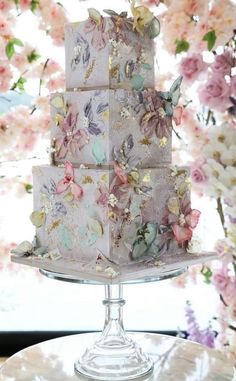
x,y
215,93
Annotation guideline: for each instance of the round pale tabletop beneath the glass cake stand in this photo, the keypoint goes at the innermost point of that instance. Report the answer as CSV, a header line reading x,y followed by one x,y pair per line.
x,y
175,359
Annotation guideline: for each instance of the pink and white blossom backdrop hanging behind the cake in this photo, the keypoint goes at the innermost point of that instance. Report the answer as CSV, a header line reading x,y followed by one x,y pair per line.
x,y
198,38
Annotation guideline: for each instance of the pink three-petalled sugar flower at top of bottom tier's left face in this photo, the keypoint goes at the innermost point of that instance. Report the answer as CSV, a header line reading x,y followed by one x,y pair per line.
x,y
68,182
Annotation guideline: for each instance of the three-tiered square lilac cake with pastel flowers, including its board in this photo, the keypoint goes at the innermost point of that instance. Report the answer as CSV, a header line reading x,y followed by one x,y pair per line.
x,y
111,206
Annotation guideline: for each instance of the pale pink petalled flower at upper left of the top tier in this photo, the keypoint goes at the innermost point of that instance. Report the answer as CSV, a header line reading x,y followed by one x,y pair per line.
x,y
100,36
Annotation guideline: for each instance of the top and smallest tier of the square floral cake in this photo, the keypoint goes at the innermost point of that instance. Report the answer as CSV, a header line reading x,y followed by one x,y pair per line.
x,y
108,52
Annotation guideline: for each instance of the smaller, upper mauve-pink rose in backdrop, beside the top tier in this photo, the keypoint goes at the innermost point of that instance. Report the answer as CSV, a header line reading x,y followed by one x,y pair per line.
x,y
191,66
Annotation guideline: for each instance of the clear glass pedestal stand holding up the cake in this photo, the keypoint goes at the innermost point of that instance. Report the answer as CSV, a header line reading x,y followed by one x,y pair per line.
x,y
114,355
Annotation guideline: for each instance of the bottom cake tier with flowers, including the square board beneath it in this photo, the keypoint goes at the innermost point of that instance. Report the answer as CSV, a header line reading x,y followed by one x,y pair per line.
x,y
109,223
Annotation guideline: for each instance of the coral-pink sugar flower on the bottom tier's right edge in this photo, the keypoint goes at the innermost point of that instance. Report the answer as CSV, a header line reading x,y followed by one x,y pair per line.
x,y
184,220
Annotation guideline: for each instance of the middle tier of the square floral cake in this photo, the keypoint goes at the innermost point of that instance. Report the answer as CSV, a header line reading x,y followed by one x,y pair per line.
x,y
99,127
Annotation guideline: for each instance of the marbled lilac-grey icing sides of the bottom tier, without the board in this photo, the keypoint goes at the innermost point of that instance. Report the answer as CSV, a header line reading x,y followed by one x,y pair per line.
x,y
124,222
